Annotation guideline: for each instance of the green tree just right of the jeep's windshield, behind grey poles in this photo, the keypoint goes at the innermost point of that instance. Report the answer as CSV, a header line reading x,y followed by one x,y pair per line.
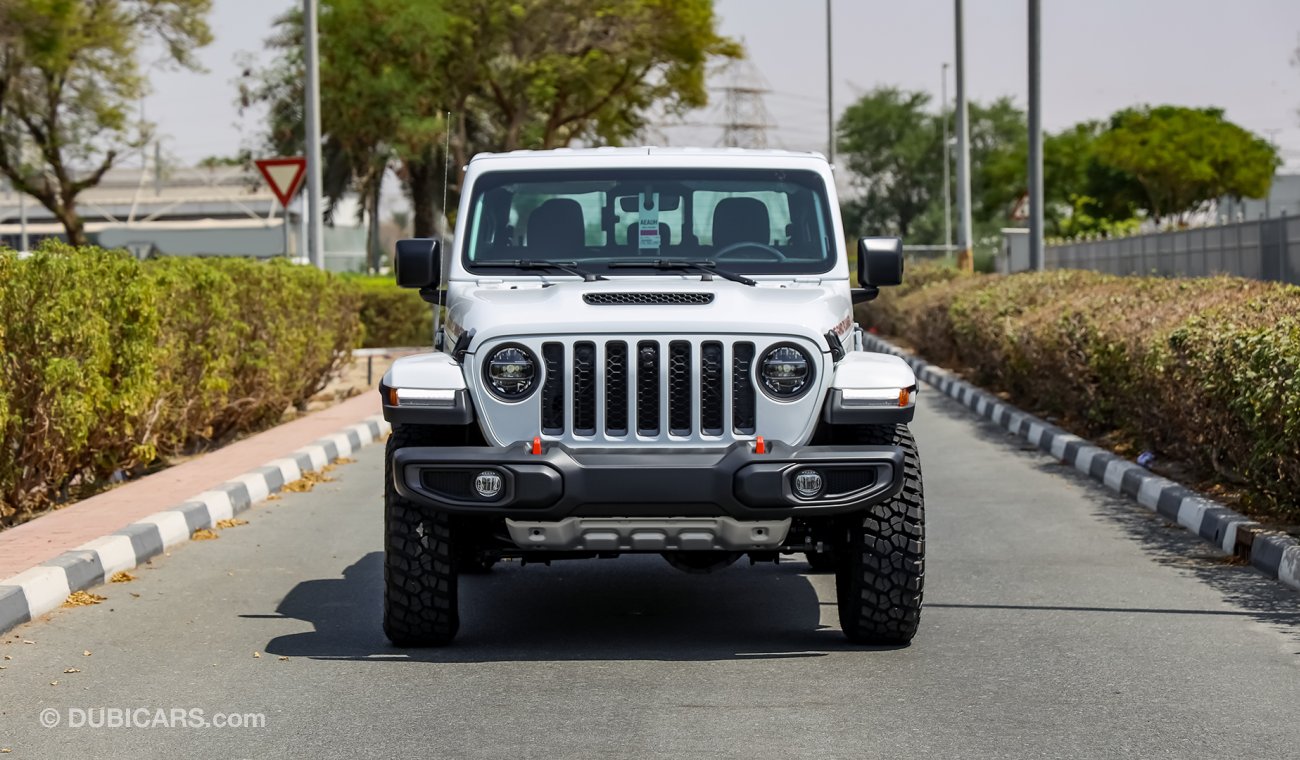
x,y
894,147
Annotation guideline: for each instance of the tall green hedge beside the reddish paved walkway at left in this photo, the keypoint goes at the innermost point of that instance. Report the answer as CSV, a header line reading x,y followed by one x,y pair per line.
x,y
109,364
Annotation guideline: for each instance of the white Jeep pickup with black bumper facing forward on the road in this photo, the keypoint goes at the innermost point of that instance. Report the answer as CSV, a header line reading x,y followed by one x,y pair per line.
x,y
651,351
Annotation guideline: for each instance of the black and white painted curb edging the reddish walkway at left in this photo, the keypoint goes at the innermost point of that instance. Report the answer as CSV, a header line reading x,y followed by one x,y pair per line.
x,y
45,588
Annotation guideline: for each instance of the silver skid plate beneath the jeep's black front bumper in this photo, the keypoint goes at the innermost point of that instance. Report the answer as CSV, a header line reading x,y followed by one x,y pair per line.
x,y
649,535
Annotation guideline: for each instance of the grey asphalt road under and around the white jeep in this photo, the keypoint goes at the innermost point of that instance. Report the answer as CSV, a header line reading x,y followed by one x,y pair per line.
x,y
1060,623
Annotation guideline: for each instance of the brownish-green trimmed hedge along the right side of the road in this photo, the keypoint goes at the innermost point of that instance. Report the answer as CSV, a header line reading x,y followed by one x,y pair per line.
x,y
1203,371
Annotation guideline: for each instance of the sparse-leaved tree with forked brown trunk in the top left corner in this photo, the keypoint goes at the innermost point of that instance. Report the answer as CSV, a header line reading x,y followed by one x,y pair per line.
x,y
70,79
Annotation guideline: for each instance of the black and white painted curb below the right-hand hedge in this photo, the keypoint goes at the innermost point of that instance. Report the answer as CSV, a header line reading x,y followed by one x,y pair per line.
x,y
1275,554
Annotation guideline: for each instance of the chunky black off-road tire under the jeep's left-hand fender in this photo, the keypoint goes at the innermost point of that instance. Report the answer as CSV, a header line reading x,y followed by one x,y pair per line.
x,y
421,579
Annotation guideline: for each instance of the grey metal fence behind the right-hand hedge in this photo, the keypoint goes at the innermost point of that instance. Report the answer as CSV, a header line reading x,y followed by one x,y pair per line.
x,y
1259,250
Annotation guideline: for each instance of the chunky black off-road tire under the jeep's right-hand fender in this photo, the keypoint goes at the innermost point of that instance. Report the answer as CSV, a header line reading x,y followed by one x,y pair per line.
x,y
882,570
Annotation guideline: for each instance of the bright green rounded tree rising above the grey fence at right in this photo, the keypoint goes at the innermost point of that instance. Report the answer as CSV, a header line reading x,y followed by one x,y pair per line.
x,y
1181,159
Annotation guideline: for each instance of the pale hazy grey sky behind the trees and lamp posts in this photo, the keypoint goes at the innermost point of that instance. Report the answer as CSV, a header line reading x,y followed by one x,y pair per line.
x,y
1098,57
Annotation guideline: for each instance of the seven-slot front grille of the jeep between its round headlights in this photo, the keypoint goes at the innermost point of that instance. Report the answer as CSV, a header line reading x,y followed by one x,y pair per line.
x,y
651,389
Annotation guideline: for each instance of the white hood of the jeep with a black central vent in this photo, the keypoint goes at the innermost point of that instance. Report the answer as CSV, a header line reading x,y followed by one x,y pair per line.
x,y
635,307
